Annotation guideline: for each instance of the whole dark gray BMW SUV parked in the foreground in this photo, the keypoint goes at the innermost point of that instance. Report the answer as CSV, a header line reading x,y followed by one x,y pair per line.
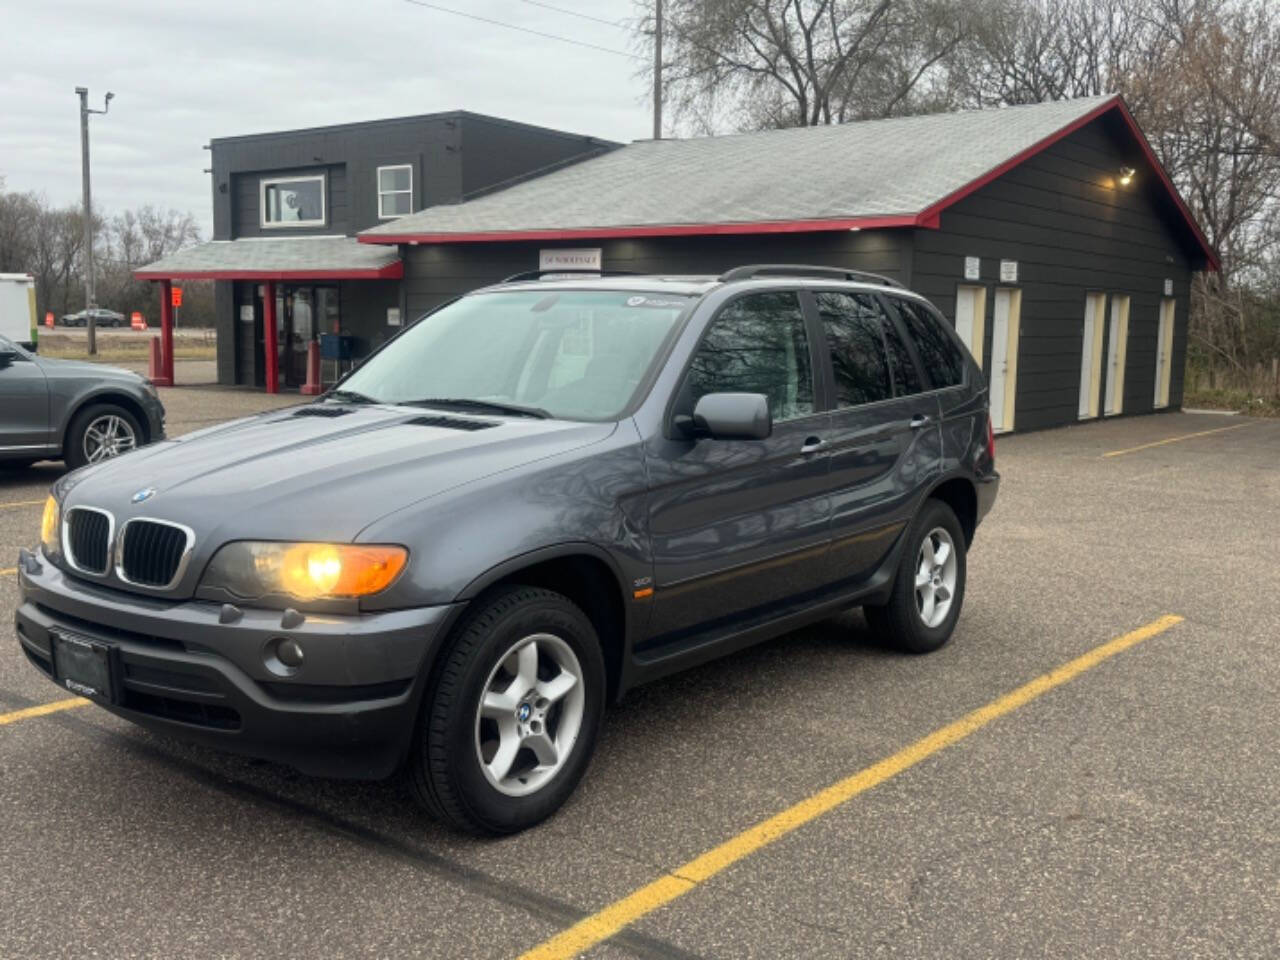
x,y
531,501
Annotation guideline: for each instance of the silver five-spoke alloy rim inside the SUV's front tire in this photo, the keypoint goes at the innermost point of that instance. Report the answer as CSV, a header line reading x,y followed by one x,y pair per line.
x,y
531,715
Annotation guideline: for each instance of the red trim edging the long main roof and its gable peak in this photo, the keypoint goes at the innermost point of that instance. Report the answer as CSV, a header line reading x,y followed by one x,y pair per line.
x,y
930,218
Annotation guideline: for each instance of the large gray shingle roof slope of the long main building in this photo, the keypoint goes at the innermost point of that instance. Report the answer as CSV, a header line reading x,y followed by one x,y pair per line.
x,y
877,168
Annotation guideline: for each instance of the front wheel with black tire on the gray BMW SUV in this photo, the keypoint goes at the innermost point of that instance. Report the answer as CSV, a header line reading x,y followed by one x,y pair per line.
x,y
511,715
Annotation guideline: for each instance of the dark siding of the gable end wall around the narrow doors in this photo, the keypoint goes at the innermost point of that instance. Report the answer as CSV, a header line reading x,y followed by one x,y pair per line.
x,y
1073,231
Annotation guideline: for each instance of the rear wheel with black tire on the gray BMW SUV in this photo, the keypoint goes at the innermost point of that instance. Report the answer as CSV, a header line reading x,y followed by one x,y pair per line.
x,y
929,589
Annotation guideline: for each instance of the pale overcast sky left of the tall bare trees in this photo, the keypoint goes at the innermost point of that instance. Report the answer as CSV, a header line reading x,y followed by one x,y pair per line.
x,y
186,71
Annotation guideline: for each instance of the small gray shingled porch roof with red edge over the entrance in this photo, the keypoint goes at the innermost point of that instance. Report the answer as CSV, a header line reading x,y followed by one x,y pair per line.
x,y
275,258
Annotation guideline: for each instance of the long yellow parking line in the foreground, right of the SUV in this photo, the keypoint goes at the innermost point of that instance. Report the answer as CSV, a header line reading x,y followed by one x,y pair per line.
x,y
623,913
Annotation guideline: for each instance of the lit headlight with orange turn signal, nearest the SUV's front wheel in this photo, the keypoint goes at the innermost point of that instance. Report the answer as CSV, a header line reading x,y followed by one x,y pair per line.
x,y
255,569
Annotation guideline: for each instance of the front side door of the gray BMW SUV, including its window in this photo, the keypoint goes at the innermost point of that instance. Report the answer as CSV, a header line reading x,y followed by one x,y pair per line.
x,y
740,527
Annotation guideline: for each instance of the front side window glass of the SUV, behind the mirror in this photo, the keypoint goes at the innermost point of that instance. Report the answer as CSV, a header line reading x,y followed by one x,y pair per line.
x,y
757,345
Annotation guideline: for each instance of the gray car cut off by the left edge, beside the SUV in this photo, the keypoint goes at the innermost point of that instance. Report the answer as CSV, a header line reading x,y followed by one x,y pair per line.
x,y
70,410
